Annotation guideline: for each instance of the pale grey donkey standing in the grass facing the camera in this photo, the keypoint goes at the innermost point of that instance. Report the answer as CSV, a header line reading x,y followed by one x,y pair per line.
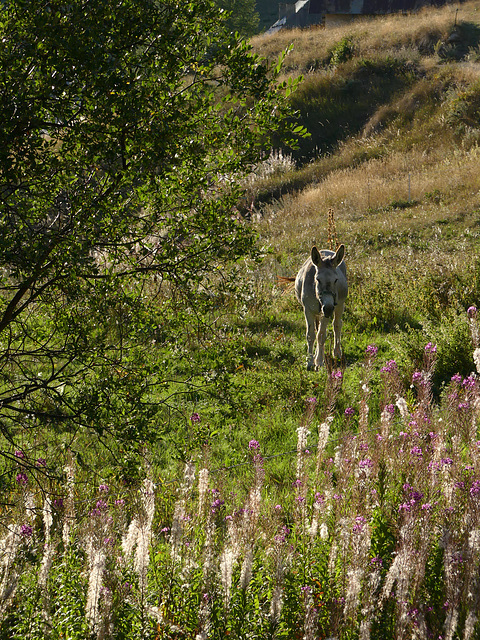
x,y
321,287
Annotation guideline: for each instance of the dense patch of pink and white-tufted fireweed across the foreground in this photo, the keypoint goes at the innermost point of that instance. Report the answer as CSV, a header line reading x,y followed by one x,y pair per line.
x,y
378,536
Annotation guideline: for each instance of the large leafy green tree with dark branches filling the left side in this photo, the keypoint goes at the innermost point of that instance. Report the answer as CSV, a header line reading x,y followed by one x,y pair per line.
x,y
125,124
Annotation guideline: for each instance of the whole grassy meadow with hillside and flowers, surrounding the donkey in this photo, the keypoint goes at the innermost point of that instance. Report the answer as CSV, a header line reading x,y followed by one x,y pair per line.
x,y
281,503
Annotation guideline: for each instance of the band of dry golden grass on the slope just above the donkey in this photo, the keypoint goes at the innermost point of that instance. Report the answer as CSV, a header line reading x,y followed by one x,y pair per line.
x,y
363,198
